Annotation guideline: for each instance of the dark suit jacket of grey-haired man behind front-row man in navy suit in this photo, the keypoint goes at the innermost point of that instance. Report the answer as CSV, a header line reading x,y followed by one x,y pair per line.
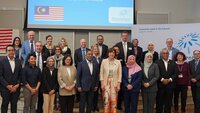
x,y
78,56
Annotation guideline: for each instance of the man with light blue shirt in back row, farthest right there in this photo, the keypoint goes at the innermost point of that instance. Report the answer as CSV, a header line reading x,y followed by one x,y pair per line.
x,y
171,49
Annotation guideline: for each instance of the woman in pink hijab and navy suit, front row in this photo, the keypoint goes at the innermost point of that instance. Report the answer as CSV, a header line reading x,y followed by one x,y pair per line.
x,y
131,79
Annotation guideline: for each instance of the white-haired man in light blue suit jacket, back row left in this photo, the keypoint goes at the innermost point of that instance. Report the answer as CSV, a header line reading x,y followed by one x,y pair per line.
x,y
28,46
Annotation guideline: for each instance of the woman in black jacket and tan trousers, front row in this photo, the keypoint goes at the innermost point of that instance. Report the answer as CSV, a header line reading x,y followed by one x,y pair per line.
x,y
49,85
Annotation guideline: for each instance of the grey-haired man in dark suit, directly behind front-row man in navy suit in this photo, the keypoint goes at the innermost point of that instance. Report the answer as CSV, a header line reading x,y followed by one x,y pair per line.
x,y
80,53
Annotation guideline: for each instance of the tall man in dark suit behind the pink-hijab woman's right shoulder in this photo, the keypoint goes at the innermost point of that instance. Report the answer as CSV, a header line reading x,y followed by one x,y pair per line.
x,y
125,47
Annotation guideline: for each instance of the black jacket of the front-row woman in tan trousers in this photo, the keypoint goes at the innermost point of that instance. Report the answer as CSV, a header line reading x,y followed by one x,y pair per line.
x,y
49,82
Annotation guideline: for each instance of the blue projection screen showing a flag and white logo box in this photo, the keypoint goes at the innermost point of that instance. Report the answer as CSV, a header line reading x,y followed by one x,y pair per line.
x,y
81,14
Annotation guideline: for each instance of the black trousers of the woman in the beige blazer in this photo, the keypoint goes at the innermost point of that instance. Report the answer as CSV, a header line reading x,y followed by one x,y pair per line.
x,y
67,103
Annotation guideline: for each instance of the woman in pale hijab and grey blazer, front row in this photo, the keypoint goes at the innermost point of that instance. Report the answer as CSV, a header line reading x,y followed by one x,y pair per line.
x,y
150,75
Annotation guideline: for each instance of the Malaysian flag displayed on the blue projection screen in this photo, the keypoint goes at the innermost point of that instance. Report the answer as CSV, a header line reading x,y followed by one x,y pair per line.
x,y
55,13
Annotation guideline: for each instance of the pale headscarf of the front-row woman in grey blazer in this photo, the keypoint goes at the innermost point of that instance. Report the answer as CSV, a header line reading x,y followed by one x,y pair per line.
x,y
147,64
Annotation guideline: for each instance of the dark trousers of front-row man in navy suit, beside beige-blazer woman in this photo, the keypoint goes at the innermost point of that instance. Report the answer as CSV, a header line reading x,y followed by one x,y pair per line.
x,y
86,101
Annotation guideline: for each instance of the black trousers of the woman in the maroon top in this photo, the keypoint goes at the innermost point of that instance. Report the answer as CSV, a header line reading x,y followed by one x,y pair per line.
x,y
180,89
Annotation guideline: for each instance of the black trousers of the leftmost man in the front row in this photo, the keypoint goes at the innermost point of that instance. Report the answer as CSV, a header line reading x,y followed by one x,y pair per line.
x,y
9,97
